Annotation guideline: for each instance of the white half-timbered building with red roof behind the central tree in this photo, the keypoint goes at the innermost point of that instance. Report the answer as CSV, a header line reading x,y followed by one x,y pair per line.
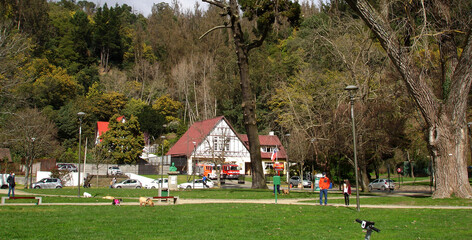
x,y
215,141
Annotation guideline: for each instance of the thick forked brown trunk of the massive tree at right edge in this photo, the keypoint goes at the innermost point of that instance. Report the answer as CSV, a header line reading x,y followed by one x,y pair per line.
x,y
445,118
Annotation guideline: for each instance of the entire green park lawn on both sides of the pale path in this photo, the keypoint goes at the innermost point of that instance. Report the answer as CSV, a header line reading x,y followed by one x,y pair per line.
x,y
230,221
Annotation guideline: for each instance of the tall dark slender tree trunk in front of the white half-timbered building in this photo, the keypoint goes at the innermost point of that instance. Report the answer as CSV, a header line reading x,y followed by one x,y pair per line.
x,y
248,104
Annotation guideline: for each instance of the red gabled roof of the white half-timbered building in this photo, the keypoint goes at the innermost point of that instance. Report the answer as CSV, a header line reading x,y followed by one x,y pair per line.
x,y
196,133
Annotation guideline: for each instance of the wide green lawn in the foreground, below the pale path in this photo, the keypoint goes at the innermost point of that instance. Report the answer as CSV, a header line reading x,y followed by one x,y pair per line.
x,y
228,221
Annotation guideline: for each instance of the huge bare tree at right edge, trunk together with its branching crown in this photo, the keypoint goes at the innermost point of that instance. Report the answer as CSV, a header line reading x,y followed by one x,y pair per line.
x,y
444,112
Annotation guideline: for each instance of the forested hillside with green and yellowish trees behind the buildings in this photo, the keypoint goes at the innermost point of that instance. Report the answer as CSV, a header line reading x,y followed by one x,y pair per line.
x,y
61,58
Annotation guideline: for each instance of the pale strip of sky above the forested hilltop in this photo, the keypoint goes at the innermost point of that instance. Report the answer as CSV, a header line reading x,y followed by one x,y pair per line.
x,y
144,6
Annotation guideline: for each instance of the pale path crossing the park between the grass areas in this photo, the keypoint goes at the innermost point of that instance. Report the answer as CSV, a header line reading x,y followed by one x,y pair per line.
x,y
291,201
